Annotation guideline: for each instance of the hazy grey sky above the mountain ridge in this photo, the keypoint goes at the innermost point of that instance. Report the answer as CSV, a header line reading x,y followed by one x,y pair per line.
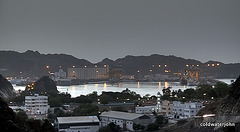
x,y
96,29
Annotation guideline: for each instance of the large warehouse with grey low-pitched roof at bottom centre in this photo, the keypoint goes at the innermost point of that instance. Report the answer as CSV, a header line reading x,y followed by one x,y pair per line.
x,y
124,120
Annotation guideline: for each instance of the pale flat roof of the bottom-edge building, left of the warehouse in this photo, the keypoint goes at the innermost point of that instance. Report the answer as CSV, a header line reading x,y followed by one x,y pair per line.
x,y
77,119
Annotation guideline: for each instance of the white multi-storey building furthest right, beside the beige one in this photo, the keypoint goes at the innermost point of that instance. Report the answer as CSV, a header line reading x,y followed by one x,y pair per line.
x,y
186,110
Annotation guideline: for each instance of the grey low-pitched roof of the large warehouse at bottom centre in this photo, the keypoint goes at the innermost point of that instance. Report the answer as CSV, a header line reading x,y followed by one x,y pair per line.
x,y
121,115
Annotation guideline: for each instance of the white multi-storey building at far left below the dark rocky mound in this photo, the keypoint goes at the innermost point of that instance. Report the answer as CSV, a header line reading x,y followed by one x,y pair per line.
x,y
36,104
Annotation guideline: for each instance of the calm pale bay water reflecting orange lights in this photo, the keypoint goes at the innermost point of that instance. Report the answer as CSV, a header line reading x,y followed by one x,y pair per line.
x,y
141,88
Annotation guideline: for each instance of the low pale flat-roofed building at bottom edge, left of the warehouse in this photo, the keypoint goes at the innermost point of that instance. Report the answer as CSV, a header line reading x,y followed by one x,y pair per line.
x,y
78,124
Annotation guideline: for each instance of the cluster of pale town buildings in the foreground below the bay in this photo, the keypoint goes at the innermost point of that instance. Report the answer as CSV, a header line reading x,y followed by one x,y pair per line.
x,y
37,106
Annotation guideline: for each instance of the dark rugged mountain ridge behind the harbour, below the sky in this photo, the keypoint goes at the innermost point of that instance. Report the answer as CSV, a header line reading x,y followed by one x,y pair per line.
x,y
33,64
